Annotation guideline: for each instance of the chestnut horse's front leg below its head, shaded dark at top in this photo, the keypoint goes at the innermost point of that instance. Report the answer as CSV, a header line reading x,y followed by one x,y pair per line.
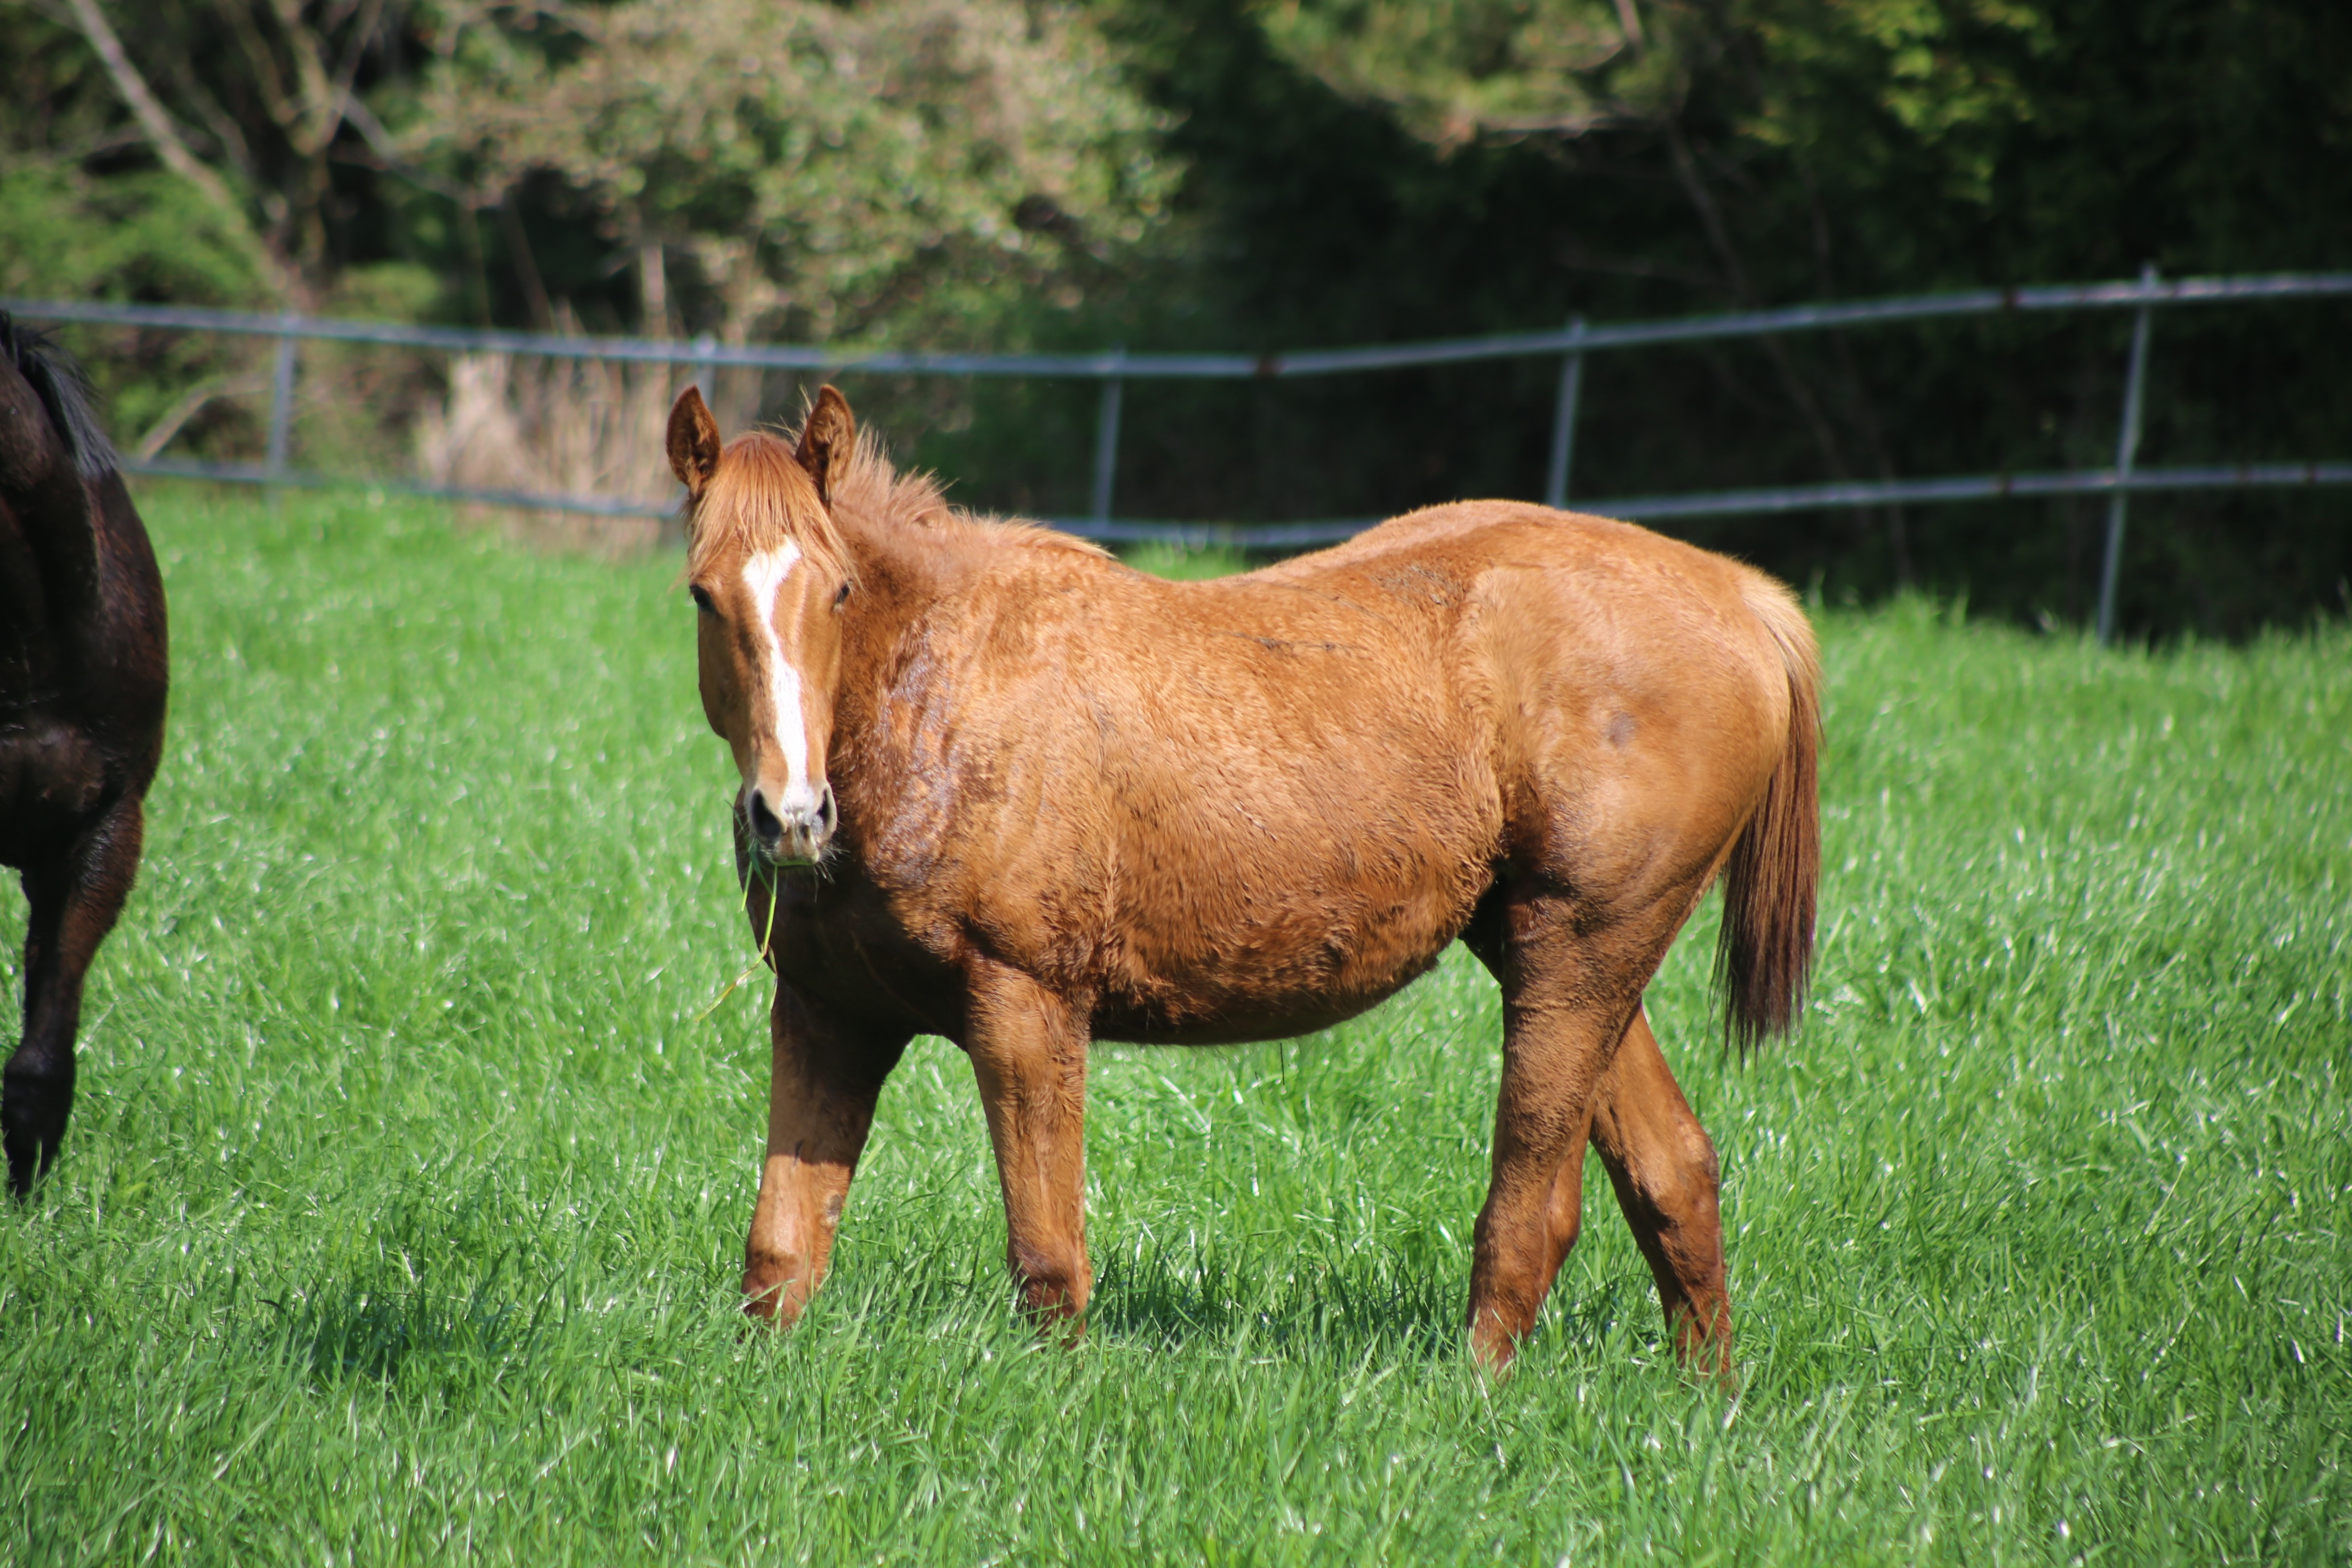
x,y
822,1097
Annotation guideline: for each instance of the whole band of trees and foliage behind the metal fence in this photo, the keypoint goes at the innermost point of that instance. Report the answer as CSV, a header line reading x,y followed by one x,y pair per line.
x,y
1285,173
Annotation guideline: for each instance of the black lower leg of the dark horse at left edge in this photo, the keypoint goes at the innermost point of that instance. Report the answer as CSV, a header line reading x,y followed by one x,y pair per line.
x,y
74,904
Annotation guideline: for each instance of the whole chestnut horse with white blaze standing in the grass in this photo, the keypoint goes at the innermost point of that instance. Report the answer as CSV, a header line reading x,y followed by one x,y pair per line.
x,y
1008,791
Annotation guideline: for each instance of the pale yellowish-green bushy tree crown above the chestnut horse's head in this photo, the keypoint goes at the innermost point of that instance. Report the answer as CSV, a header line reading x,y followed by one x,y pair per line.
x,y
890,168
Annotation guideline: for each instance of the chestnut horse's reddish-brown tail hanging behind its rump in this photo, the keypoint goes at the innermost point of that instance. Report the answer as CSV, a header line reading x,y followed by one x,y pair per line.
x,y
1768,942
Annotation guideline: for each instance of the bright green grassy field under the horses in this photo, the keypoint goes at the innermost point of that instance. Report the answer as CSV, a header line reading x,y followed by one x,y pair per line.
x,y
403,1202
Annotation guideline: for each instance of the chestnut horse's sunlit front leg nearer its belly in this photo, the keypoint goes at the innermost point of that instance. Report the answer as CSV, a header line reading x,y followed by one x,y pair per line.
x,y
1029,1054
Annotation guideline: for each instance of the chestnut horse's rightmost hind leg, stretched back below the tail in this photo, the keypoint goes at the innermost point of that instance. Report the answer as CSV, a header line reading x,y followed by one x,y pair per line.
x,y
1666,1179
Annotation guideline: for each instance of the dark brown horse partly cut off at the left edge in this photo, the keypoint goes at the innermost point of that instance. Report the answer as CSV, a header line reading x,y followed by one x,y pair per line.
x,y
83,683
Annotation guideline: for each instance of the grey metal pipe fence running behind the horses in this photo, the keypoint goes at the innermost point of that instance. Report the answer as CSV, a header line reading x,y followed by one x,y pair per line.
x,y
1116,368
